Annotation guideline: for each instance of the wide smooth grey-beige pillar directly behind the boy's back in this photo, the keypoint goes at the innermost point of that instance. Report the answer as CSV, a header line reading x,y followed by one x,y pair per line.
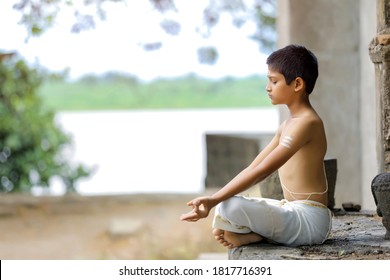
x,y
330,28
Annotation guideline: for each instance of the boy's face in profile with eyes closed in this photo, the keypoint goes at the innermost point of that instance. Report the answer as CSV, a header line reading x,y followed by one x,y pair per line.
x,y
278,91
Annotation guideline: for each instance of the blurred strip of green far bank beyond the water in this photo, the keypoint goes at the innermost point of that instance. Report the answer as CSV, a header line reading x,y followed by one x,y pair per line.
x,y
126,93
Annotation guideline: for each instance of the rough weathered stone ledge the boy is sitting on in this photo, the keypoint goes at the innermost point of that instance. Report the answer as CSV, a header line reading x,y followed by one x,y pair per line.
x,y
358,235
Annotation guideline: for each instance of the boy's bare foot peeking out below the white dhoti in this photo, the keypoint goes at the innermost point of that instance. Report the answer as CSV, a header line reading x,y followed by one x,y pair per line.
x,y
232,240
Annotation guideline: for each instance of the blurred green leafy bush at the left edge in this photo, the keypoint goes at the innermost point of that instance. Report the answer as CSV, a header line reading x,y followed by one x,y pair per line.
x,y
31,144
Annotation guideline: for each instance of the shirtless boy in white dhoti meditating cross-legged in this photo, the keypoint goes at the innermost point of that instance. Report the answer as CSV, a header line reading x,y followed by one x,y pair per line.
x,y
297,151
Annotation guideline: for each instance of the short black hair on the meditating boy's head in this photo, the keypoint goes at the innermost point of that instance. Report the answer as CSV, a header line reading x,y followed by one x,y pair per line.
x,y
295,61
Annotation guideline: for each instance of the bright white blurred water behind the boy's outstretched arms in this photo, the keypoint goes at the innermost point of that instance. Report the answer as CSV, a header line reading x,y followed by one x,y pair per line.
x,y
159,151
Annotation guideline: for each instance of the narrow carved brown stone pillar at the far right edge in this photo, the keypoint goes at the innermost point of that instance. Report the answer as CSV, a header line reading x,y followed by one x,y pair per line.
x,y
379,51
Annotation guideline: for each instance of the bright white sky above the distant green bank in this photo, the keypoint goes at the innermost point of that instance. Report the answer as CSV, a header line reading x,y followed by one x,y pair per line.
x,y
116,43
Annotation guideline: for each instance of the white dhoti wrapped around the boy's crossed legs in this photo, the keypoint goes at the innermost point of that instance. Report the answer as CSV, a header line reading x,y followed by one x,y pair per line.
x,y
292,223
